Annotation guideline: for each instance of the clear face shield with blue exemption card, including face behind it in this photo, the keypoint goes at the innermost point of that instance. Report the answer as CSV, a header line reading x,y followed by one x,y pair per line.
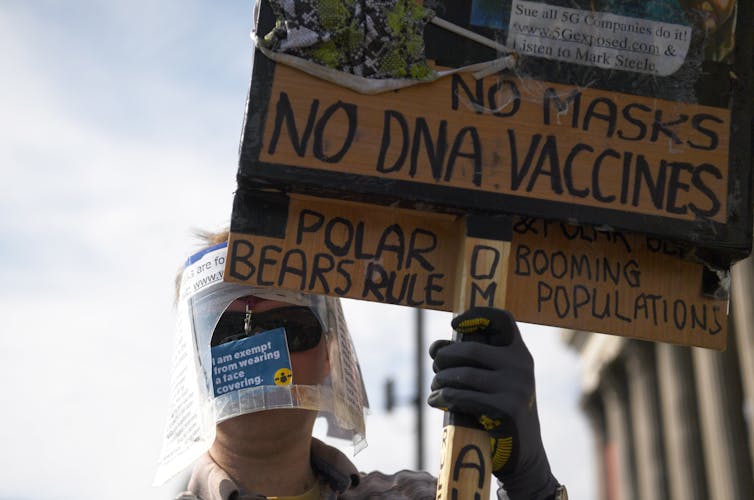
x,y
242,349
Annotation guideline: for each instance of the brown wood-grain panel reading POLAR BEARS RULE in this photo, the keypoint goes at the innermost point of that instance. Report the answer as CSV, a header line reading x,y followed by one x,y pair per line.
x,y
353,250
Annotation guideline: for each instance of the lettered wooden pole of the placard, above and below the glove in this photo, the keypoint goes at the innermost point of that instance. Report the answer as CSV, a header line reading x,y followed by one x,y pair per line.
x,y
465,460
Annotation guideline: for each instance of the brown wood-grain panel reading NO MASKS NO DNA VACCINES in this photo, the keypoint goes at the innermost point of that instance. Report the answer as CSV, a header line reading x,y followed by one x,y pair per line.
x,y
584,147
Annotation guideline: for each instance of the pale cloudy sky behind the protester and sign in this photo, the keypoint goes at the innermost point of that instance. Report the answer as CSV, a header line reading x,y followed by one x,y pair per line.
x,y
119,131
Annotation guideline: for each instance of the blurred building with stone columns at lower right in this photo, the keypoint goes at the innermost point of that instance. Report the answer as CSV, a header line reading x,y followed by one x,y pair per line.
x,y
674,422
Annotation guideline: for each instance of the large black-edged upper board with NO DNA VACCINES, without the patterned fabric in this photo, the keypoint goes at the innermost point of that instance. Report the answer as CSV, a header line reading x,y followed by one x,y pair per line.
x,y
626,120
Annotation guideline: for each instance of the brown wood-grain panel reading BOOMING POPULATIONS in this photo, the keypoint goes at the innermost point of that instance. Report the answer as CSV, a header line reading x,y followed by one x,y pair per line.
x,y
611,282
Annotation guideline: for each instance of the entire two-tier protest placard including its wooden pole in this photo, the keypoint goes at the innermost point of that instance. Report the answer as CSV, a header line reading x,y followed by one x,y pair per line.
x,y
540,181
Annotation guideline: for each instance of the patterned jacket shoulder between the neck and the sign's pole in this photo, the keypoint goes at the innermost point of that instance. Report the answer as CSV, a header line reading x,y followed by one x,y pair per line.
x,y
403,484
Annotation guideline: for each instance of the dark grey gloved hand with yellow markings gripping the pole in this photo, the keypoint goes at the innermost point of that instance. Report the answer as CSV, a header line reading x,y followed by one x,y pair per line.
x,y
492,378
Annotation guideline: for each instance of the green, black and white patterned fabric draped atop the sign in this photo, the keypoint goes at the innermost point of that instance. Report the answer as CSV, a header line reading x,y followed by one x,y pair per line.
x,y
368,38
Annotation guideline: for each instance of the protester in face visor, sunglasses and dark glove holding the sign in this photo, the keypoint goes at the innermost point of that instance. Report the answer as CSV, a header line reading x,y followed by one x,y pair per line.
x,y
254,440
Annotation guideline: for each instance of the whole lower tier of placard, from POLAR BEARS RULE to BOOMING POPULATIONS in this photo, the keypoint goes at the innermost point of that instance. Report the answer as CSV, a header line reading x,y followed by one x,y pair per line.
x,y
544,272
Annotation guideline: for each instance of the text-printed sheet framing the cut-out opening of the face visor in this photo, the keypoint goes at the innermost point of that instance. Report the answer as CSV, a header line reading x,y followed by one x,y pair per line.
x,y
200,399
